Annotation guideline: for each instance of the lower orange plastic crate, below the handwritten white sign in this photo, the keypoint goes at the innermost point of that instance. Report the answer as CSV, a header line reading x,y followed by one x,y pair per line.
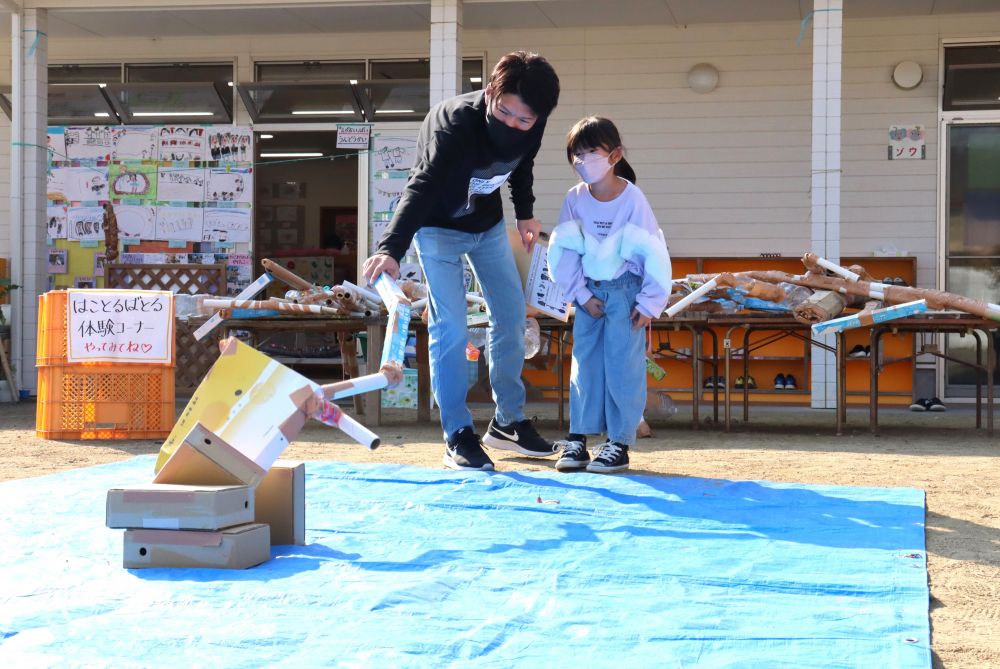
x,y
105,402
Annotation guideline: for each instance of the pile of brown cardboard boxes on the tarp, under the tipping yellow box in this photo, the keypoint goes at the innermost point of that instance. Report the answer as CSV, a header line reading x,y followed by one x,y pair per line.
x,y
210,506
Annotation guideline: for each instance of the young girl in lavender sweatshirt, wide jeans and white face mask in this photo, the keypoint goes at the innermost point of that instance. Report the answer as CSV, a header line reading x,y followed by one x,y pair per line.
x,y
608,255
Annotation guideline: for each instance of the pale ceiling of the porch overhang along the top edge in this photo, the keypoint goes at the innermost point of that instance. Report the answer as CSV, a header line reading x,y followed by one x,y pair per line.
x,y
477,15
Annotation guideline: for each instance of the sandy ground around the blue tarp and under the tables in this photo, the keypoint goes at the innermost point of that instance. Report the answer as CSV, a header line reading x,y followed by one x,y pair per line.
x,y
942,454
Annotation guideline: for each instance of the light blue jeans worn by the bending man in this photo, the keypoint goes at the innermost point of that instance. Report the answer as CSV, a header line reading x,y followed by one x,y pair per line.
x,y
440,251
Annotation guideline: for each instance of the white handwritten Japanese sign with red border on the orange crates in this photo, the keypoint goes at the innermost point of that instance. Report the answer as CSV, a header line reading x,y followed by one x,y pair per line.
x,y
127,326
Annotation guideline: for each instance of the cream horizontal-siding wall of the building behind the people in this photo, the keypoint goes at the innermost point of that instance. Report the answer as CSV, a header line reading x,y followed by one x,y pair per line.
x,y
727,172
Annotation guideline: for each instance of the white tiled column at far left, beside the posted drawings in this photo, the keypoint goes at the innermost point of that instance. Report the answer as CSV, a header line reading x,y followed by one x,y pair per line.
x,y
29,78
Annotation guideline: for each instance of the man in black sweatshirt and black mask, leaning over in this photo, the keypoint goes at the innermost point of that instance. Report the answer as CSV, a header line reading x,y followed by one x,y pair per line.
x,y
467,148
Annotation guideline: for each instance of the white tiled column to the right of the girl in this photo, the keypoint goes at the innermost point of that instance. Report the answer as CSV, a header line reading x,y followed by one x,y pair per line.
x,y
827,22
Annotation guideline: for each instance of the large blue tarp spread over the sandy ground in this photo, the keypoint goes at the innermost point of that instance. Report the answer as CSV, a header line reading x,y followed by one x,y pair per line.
x,y
410,567
